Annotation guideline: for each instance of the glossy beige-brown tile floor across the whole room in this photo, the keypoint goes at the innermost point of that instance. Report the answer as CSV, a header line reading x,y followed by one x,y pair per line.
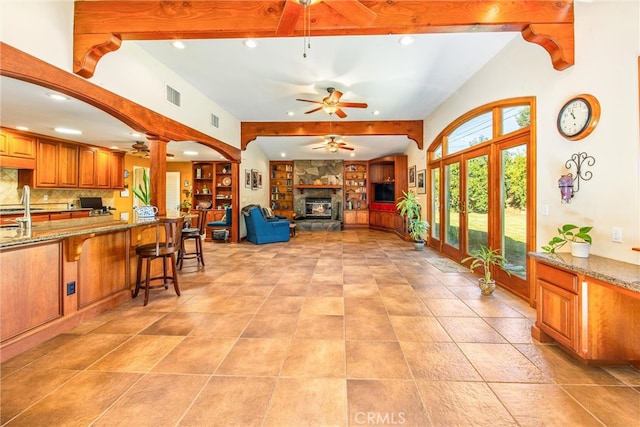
x,y
331,329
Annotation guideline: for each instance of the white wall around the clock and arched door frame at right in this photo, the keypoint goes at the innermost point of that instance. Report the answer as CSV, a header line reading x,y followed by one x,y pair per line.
x,y
607,47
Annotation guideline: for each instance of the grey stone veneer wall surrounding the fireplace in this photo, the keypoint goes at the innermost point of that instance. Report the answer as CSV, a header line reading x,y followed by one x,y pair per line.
x,y
329,172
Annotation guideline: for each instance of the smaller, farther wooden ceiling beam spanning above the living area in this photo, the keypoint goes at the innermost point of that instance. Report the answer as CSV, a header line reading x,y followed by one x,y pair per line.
x,y
413,129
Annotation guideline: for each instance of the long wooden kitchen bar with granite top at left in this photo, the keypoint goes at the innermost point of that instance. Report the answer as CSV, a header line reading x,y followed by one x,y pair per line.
x,y
62,272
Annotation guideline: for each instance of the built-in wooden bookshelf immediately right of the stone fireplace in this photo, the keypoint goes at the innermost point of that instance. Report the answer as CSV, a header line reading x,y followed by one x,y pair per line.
x,y
356,201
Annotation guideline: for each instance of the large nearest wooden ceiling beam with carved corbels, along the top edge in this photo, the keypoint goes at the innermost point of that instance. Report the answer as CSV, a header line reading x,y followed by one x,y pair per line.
x,y
101,26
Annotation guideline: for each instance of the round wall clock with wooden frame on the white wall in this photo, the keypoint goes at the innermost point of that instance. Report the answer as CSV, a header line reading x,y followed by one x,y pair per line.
x,y
578,117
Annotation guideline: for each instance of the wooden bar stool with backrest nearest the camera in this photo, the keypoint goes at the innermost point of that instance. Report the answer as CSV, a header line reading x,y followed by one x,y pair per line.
x,y
165,247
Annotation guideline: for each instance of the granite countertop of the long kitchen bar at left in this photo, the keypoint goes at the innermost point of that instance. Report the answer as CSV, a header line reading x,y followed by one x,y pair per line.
x,y
61,229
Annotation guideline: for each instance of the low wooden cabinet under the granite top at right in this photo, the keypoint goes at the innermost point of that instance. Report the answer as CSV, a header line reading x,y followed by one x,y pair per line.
x,y
594,320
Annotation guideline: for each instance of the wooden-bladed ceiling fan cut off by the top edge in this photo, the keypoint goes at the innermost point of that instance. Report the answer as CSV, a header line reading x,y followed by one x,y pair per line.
x,y
352,10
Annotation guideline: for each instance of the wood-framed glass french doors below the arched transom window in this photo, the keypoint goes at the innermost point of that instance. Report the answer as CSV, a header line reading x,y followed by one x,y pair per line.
x,y
480,198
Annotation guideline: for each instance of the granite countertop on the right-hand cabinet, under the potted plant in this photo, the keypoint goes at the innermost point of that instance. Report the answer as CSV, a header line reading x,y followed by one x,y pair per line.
x,y
618,273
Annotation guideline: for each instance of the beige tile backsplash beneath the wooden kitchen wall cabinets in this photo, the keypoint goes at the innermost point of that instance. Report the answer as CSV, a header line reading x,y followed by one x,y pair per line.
x,y
10,193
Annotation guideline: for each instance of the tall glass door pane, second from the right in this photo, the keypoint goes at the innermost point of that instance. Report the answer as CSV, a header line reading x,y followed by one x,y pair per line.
x,y
477,203
